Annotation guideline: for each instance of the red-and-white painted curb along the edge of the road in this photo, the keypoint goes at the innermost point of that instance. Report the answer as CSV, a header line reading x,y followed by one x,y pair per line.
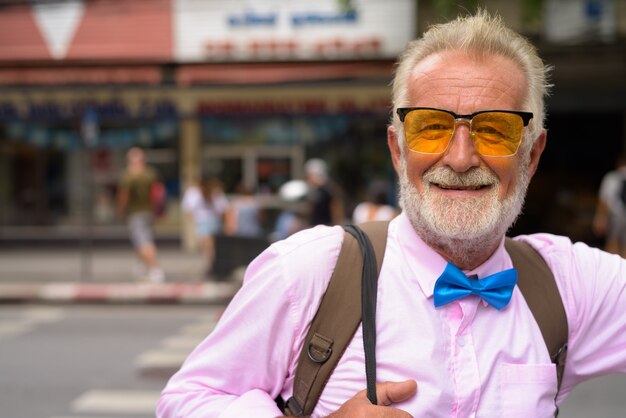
x,y
180,293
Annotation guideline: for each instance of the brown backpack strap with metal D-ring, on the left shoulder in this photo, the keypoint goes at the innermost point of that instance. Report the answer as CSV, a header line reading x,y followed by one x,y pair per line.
x,y
336,320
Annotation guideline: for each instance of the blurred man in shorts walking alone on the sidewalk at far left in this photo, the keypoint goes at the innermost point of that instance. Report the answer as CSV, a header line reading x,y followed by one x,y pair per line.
x,y
137,184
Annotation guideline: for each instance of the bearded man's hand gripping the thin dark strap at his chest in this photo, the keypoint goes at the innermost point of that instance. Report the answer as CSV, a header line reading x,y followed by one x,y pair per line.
x,y
387,394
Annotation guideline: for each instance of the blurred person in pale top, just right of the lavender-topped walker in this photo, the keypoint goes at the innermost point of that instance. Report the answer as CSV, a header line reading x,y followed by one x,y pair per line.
x,y
243,215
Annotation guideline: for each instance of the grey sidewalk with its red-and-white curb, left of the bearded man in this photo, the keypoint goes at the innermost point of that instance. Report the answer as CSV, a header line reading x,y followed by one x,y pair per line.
x,y
105,275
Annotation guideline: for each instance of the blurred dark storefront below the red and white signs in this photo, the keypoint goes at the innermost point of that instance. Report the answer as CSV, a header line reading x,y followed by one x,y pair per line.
x,y
63,149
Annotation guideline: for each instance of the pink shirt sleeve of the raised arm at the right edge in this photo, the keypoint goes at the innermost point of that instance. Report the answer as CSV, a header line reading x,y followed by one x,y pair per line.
x,y
593,288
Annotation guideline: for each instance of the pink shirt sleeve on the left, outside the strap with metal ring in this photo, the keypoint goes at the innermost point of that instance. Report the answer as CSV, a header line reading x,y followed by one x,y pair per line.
x,y
249,358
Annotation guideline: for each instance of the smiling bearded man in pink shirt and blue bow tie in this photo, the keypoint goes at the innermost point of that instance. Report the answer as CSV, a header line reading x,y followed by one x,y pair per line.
x,y
455,336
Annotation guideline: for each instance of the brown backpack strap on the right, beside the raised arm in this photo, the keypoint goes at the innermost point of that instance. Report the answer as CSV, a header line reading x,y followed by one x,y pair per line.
x,y
538,286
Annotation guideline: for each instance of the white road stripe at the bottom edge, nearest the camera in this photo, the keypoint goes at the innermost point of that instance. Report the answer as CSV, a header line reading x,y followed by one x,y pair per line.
x,y
116,402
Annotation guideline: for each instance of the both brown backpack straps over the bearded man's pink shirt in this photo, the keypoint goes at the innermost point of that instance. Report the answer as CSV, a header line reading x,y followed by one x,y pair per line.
x,y
328,338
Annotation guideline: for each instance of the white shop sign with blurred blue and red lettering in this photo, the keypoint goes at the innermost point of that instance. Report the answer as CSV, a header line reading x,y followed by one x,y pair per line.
x,y
239,30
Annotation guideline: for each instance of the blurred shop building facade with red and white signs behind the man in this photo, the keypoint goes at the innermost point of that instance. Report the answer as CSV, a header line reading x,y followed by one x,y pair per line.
x,y
248,91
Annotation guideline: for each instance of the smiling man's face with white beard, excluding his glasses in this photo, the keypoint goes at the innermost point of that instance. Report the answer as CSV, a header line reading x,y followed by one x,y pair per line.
x,y
460,194
